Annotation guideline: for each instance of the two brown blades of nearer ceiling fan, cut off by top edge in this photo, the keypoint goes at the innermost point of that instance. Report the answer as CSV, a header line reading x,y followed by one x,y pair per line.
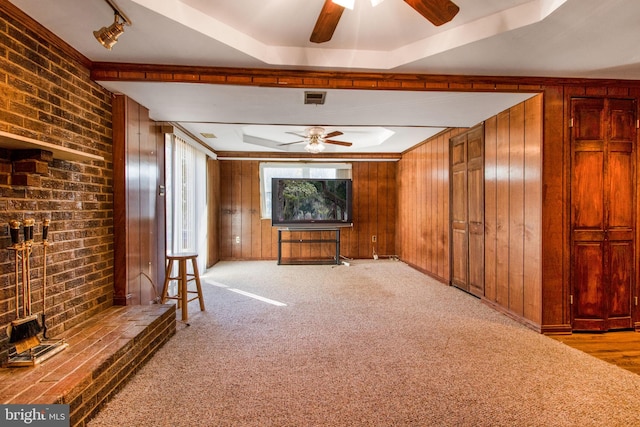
x,y
438,12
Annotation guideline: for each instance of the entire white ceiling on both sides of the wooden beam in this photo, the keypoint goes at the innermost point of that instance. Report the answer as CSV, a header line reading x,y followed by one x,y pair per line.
x,y
547,38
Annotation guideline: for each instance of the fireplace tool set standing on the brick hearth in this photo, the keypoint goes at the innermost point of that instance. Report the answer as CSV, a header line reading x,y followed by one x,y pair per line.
x,y
23,332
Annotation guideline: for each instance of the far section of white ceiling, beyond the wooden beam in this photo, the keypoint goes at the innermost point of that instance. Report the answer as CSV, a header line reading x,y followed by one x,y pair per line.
x,y
239,116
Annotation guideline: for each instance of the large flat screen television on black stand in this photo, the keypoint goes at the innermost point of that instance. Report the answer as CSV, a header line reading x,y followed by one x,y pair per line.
x,y
309,202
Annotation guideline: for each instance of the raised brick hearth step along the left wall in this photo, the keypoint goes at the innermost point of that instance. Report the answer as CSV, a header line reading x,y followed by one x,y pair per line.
x,y
103,353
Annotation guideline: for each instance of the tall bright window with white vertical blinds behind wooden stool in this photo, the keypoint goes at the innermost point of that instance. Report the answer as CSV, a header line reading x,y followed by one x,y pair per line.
x,y
186,198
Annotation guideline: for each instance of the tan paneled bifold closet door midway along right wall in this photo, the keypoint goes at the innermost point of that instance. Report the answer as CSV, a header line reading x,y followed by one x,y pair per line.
x,y
467,211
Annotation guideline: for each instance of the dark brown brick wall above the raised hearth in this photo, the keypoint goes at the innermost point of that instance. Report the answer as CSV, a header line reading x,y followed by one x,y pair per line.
x,y
46,95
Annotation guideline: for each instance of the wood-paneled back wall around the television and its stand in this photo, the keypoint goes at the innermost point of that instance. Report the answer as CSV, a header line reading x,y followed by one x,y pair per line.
x,y
244,235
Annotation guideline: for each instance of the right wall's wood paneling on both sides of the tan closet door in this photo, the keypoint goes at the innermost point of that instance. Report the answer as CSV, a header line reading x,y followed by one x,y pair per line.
x,y
513,197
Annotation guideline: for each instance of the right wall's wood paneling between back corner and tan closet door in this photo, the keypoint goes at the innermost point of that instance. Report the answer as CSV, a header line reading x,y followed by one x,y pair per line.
x,y
422,239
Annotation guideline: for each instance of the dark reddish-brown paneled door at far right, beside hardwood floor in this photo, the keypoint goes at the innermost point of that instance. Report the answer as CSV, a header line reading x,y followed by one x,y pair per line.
x,y
603,213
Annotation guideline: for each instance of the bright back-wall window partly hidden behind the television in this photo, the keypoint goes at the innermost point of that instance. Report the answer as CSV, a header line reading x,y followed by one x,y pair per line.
x,y
295,170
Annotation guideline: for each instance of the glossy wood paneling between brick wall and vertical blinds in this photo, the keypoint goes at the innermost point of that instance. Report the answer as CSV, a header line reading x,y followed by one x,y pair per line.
x,y
139,220
